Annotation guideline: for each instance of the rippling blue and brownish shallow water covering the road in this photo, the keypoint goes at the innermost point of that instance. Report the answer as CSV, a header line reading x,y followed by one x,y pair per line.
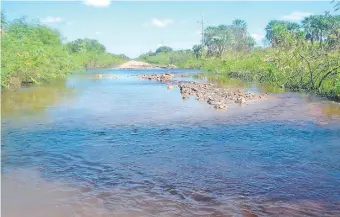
x,y
129,147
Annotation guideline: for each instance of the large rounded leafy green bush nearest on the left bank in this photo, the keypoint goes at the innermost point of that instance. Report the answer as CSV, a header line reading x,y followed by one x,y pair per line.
x,y
32,53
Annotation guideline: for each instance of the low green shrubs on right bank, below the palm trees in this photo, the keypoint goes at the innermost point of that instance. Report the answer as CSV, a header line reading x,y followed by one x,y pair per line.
x,y
293,69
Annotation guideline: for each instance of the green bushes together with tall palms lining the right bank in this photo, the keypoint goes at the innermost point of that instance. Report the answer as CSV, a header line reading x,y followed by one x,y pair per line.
x,y
301,57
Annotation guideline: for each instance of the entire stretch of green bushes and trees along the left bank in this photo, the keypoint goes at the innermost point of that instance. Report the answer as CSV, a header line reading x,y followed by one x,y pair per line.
x,y
34,53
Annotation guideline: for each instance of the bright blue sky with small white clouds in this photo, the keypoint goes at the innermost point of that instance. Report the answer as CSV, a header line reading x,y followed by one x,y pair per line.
x,y
136,27
